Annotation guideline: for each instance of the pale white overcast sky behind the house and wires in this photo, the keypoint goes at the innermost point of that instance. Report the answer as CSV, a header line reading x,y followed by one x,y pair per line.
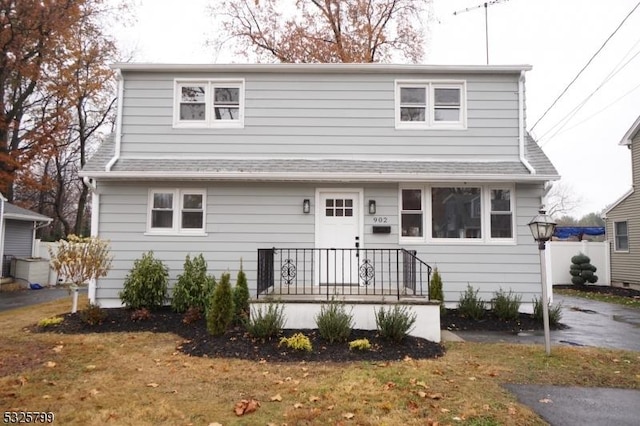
x,y
580,133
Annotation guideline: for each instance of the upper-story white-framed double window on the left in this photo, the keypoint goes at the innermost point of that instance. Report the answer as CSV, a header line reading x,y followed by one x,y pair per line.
x,y
209,103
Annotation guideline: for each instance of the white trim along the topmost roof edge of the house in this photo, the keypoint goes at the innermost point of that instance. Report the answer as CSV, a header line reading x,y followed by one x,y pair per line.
x,y
325,68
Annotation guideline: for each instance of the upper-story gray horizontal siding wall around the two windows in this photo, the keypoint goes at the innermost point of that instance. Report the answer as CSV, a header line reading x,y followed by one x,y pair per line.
x,y
324,116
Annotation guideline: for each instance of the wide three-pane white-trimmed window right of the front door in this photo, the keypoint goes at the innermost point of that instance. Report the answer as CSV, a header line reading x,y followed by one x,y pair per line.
x,y
457,213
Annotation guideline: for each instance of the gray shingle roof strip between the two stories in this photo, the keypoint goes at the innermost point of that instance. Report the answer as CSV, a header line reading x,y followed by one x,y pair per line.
x,y
211,167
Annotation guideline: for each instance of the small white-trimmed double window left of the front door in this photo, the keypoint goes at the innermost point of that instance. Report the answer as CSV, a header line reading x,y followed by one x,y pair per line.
x,y
177,211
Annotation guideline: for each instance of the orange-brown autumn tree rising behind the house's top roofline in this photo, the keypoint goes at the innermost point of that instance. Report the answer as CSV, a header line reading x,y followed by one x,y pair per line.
x,y
325,31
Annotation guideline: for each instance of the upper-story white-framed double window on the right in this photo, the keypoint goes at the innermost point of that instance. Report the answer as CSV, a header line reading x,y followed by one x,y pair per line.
x,y
430,104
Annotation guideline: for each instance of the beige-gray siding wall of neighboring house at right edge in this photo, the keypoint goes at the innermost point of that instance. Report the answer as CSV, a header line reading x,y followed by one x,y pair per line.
x,y
625,266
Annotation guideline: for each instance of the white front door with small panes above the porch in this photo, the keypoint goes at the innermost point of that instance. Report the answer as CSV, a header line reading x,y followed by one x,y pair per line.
x,y
338,228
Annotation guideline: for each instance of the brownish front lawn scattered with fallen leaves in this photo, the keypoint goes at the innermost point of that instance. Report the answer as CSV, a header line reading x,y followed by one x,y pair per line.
x,y
142,378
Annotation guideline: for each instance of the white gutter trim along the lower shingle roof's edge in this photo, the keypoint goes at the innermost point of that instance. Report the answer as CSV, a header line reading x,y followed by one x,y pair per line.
x,y
315,177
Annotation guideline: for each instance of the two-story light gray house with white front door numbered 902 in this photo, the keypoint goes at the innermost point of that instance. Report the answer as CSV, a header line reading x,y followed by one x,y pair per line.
x,y
225,160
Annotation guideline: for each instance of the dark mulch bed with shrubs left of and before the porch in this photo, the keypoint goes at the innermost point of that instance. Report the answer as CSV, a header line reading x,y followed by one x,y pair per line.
x,y
236,343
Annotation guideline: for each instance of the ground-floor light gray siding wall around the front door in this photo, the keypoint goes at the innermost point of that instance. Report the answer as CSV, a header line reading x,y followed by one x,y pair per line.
x,y
240,218
